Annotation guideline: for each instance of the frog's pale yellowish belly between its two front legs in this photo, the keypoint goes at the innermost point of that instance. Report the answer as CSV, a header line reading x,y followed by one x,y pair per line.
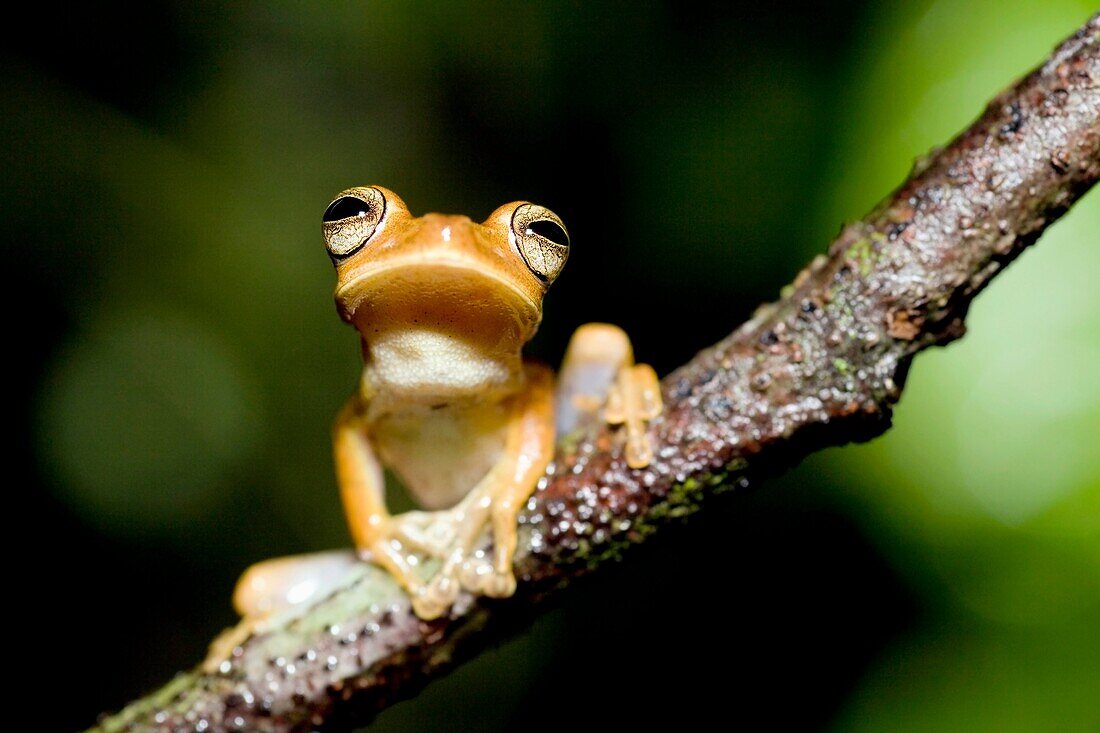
x,y
442,455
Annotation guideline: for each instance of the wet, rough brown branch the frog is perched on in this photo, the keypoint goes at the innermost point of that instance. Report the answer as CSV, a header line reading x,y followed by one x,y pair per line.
x,y
821,367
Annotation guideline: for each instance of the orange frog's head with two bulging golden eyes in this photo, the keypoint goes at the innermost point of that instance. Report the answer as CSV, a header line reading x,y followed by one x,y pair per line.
x,y
444,280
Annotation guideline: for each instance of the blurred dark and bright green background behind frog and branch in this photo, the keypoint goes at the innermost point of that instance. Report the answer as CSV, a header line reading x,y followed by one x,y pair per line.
x,y
179,360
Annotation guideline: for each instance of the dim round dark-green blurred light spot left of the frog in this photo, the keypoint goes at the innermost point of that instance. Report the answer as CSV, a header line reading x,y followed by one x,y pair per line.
x,y
147,421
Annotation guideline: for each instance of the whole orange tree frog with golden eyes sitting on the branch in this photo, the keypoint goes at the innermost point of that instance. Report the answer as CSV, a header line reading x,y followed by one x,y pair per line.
x,y
444,308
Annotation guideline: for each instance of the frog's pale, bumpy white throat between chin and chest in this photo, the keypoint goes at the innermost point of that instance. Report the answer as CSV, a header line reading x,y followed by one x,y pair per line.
x,y
431,369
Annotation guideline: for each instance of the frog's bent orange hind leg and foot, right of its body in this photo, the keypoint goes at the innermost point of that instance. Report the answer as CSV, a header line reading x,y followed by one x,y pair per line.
x,y
599,370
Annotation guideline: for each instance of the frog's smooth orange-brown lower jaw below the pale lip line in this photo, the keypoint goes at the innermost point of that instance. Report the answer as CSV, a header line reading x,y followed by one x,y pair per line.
x,y
458,297
